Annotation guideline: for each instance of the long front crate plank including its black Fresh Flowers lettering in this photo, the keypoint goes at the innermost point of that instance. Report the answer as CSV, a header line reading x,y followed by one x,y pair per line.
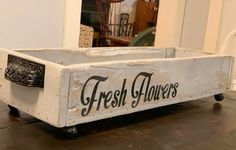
x,y
103,90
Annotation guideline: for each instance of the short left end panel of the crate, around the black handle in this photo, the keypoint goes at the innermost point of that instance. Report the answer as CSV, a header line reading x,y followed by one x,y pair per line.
x,y
42,103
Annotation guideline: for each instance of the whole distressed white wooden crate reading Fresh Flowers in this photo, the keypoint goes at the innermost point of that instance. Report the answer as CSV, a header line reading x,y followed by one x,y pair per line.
x,y
84,85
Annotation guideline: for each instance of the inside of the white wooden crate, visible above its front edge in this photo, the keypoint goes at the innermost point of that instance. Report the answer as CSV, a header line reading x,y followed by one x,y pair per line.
x,y
80,56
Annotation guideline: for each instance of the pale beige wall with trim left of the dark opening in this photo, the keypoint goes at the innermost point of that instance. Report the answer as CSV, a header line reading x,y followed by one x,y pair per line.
x,y
39,23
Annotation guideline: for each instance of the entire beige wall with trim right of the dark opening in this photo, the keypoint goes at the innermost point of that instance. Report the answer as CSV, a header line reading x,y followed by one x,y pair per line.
x,y
204,24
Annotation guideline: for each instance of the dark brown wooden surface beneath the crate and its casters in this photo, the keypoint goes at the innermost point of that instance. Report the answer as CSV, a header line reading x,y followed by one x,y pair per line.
x,y
201,124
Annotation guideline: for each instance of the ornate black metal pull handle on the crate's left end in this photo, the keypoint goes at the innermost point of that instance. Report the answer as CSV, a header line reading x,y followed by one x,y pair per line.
x,y
24,72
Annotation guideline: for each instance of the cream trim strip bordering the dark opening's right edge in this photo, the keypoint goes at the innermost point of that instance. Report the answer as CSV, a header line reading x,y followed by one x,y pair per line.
x,y
169,23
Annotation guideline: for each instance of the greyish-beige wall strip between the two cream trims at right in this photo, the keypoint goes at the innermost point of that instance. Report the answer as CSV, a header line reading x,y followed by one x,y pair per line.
x,y
194,24
